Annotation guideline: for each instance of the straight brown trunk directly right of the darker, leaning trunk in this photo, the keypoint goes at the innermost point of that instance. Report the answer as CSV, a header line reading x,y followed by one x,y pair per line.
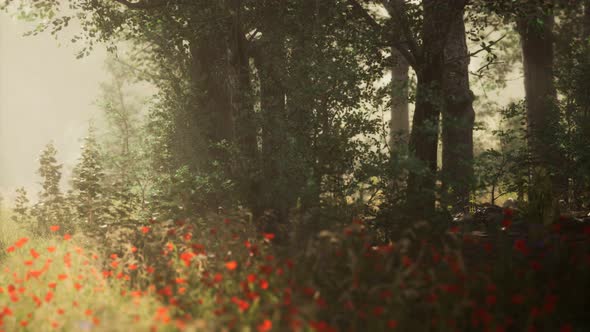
x,y
458,119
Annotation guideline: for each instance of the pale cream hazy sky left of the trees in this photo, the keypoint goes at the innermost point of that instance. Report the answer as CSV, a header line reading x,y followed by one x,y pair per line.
x,y
46,94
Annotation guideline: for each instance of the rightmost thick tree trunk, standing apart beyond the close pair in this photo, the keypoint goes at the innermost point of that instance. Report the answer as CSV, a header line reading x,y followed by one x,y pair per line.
x,y
542,114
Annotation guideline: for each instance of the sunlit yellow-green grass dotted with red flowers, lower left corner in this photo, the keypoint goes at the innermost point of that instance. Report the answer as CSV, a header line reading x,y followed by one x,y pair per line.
x,y
54,284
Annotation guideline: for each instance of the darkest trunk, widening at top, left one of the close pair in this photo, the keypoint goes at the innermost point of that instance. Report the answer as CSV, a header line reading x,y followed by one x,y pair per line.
x,y
429,67
